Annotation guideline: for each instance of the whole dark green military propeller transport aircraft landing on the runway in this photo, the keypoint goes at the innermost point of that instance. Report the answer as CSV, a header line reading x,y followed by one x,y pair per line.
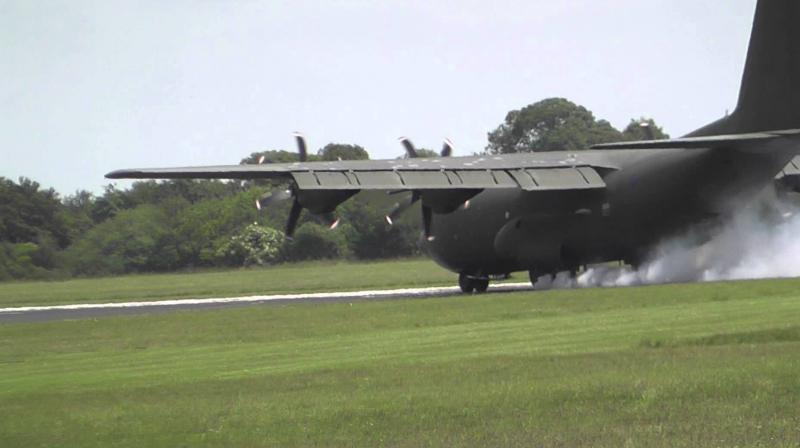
x,y
547,212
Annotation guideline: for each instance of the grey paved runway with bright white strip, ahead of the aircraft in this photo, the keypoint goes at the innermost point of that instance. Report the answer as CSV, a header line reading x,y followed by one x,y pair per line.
x,y
95,310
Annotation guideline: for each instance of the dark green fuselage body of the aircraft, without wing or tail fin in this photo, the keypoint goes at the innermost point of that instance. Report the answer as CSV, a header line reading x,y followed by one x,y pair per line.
x,y
656,194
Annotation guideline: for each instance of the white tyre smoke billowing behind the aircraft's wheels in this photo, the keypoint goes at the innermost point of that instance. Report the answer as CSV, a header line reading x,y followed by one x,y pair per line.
x,y
762,241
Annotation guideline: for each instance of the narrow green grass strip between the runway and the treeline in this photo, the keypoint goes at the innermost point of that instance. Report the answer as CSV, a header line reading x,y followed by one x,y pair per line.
x,y
289,278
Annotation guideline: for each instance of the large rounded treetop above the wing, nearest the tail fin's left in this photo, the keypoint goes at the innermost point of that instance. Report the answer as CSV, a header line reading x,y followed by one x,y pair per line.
x,y
554,124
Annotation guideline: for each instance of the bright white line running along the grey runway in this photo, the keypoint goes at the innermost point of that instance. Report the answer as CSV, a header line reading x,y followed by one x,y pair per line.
x,y
412,292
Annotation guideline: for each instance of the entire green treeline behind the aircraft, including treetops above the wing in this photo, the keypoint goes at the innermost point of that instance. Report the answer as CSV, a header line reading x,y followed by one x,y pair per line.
x,y
185,224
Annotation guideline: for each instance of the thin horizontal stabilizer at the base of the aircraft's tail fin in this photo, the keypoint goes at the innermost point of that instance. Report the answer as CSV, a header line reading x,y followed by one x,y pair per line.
x,y
750,141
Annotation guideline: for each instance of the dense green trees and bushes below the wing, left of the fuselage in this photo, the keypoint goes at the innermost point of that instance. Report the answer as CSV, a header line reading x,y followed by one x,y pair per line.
x,y
177,224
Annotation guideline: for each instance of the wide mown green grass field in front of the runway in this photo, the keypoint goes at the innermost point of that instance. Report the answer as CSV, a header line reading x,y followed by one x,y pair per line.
x,y
670,366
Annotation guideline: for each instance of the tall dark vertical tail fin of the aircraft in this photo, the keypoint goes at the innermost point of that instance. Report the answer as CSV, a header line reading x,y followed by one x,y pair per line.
x,y
769,98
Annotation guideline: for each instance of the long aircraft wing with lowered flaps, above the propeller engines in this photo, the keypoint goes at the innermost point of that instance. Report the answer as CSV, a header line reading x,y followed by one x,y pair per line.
x,y
530,172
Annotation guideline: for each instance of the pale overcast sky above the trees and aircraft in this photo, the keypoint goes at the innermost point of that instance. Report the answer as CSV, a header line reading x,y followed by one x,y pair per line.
x,y
87,87
